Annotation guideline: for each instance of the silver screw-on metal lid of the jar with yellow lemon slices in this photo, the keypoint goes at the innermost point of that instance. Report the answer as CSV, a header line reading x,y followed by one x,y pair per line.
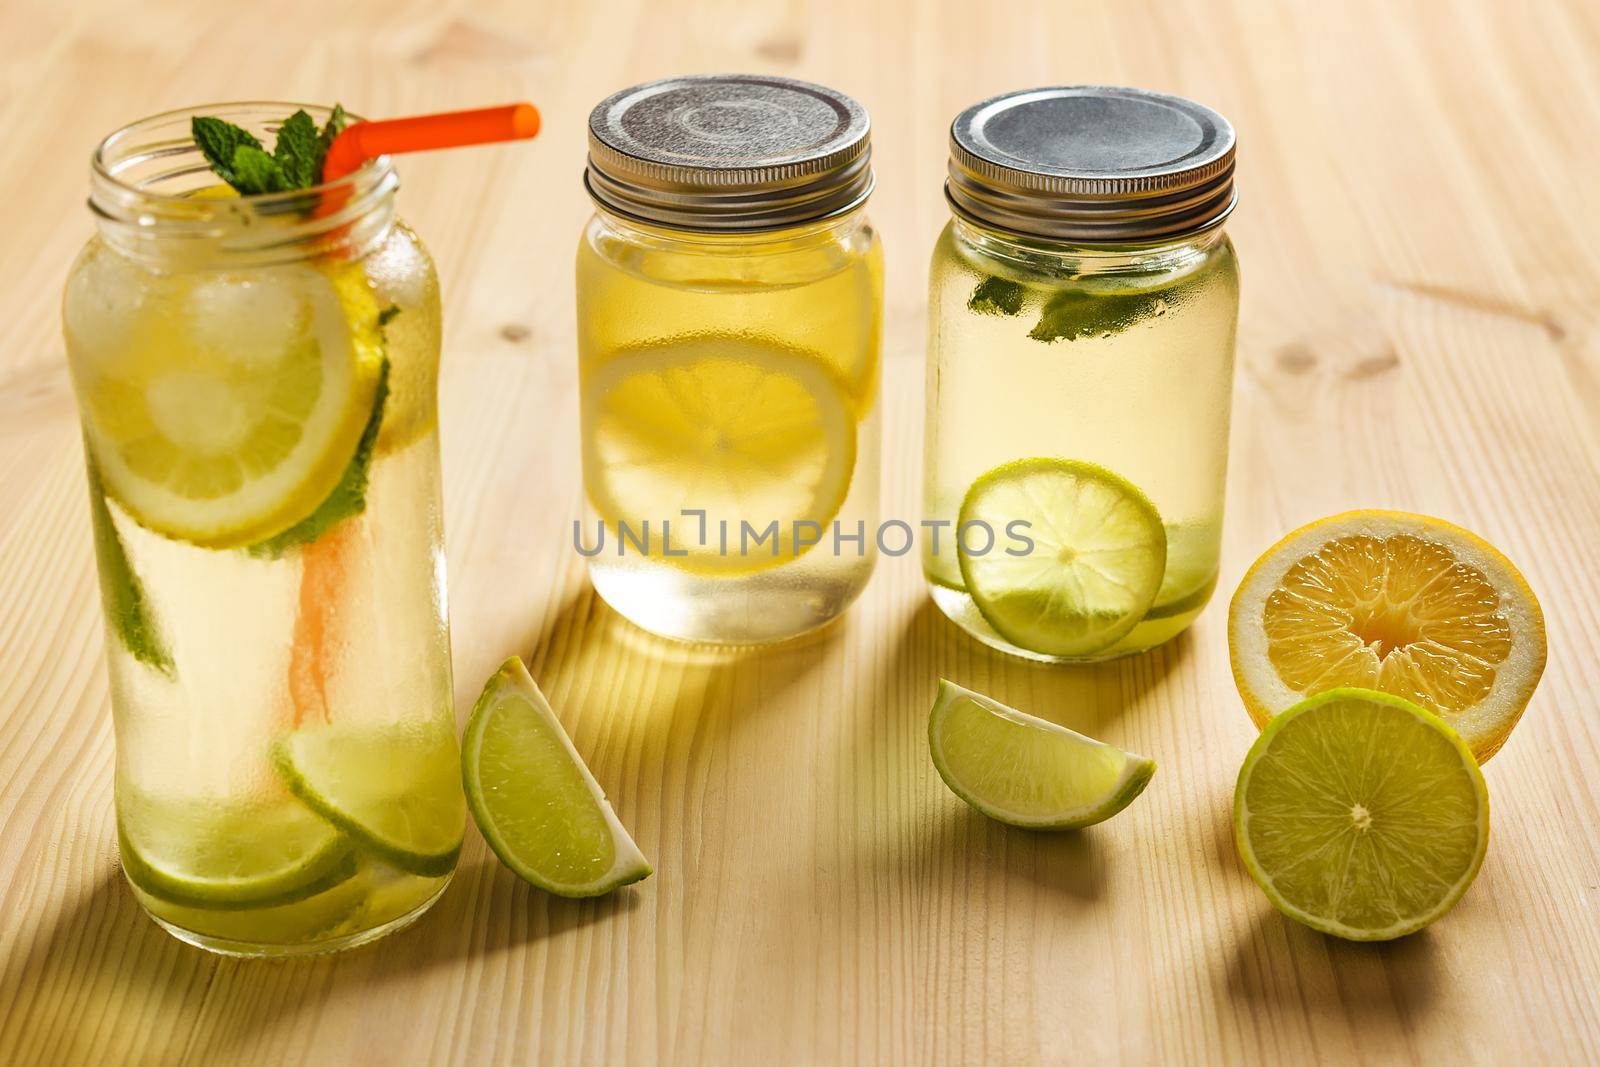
x,y
729,153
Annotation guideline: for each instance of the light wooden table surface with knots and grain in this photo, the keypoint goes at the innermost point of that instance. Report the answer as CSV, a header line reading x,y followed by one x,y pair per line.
x,y
1422,249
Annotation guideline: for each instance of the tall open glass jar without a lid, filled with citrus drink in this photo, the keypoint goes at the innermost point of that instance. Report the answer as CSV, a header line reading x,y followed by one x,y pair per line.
x,y
257,386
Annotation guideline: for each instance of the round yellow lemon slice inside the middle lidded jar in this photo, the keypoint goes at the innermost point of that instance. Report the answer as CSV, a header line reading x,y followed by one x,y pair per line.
x,y
745,431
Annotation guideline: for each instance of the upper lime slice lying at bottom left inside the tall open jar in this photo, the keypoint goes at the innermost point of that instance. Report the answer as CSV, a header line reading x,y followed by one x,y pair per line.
x,y
206,855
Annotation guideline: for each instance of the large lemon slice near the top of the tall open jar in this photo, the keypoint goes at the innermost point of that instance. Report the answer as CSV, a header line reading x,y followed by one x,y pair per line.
x,y
236,402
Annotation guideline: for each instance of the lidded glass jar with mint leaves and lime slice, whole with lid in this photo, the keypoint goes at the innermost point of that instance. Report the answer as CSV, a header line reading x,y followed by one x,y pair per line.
x,y
1082,302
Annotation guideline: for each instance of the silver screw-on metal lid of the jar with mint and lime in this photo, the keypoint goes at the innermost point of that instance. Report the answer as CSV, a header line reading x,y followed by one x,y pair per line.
x,y
1092,164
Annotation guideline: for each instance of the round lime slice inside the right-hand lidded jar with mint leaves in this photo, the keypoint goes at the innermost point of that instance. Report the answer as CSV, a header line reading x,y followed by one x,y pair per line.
x,y
1097,564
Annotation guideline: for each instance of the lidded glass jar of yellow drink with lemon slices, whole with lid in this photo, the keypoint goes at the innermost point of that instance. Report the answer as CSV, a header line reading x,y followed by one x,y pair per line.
x,y
729,324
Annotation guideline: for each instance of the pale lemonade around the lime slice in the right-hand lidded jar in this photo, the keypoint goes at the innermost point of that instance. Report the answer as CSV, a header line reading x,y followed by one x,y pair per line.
x,y
1132,370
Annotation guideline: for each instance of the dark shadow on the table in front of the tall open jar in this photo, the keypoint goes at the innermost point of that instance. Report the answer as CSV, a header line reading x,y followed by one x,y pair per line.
x,y
102,983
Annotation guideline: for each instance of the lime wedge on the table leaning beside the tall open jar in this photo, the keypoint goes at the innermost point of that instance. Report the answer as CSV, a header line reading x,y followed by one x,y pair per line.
x,y
534,799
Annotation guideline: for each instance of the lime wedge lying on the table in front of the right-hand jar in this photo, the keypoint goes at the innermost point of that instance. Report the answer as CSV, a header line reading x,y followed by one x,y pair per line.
x,y
1028,772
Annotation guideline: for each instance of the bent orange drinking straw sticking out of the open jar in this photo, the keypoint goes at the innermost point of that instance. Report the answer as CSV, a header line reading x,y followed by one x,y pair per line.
x,y
422,134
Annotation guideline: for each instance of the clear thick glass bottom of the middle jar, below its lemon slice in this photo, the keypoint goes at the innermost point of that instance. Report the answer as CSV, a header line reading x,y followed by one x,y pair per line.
x,y
759,609
